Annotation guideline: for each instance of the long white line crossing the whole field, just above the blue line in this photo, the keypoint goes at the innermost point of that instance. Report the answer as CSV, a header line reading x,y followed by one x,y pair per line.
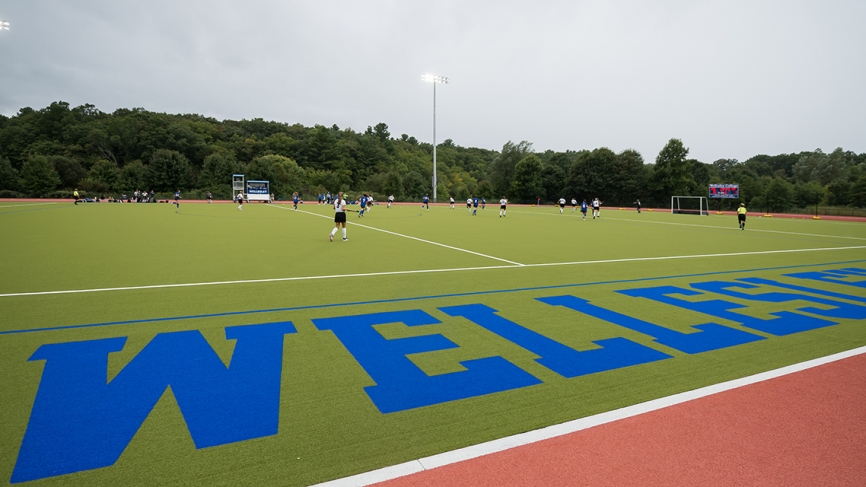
x,y
419,271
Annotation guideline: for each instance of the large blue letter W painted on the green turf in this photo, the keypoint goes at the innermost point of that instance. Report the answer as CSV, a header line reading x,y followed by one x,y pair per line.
x,y
80,421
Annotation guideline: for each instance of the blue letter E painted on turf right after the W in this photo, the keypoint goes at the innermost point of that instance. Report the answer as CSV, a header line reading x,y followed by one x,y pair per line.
x,y
400,384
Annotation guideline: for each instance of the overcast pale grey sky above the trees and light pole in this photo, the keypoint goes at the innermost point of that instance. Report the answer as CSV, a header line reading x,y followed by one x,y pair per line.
x,y
730,78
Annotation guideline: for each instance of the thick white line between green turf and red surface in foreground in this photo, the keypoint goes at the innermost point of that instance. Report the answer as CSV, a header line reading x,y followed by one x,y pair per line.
x,y
507,443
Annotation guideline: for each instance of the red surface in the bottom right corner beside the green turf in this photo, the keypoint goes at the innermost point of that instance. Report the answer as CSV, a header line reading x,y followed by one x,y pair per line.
x,y
806,428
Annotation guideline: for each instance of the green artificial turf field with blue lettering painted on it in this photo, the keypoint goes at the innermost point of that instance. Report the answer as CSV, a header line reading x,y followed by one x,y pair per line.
x,y
75,276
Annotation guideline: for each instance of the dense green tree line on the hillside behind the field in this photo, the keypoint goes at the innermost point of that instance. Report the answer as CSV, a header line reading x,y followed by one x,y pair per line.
x,y
51,151
